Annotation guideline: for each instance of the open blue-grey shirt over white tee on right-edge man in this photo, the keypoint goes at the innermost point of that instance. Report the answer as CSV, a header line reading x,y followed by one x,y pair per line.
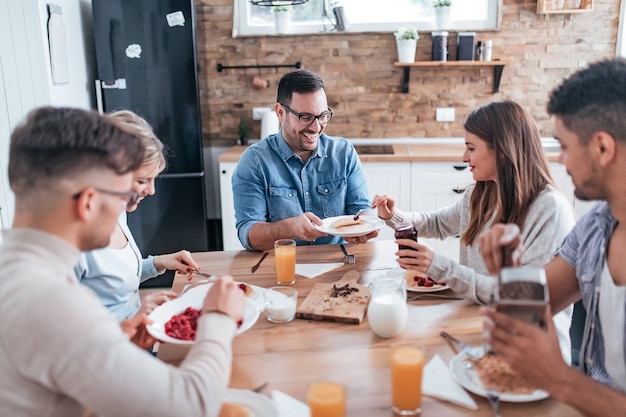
x,y
585,250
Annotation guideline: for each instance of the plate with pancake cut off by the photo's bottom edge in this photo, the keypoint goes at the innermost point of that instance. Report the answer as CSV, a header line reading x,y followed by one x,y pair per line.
x,y
245,403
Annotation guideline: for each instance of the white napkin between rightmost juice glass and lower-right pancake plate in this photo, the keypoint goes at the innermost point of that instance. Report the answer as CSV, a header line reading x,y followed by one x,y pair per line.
x,y
439,383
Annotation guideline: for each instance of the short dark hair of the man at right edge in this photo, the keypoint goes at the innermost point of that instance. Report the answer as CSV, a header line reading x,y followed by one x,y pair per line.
x,y
593,99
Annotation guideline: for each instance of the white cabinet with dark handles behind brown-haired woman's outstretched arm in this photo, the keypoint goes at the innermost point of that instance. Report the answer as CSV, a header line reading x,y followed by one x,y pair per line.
x,y
435,185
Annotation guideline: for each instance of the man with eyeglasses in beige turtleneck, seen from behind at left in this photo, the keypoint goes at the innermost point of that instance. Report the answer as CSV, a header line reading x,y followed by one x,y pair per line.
x,y
61,352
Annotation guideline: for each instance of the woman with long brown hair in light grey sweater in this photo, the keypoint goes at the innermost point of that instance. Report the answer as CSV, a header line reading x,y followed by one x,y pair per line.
x,y
512,185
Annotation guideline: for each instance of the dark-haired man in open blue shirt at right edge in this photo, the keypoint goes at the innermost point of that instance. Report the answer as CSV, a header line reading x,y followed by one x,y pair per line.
x,y
589,109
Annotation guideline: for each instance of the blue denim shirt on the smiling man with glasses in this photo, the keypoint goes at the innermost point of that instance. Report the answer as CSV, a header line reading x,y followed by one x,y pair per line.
x,y
272,183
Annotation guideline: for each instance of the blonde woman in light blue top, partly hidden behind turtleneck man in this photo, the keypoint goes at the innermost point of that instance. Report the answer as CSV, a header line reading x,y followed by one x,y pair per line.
x,y
115,272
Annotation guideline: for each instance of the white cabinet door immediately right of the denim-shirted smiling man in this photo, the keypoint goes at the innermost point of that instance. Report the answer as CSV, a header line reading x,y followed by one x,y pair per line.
x,y
393,179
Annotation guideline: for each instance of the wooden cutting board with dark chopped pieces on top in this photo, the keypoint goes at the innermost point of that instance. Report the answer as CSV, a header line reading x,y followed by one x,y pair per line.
x,y
343,301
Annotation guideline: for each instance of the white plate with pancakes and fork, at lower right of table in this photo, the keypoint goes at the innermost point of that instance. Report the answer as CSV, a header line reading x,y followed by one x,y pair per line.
x,y
510,387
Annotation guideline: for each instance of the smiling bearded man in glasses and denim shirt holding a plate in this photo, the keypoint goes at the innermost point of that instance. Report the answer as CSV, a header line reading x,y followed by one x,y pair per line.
x,y
284,185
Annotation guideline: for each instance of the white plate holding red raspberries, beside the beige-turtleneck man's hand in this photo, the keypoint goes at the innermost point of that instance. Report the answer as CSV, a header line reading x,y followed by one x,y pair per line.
x,y
192,298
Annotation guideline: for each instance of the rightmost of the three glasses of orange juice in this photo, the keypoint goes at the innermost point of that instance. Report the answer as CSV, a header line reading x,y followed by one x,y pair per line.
x,y
407,365
